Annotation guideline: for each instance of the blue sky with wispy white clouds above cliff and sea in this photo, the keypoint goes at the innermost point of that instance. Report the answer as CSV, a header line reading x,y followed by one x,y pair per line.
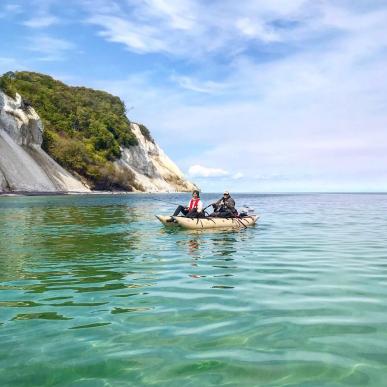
x,y
248,96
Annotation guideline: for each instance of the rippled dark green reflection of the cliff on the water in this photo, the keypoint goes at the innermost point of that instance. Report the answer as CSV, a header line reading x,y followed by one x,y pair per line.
x,y
72,257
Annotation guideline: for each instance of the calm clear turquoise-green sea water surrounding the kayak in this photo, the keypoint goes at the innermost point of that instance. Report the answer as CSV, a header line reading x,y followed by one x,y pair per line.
x,y
95,292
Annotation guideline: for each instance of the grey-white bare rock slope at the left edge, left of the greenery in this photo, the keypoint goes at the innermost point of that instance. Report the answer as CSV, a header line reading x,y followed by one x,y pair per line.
x,y
24,166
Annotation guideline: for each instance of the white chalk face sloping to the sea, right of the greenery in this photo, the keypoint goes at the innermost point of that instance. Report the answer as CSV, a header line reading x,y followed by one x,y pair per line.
x,y
154,171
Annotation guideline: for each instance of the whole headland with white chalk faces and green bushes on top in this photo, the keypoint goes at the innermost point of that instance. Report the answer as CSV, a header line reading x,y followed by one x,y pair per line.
x,y
76,140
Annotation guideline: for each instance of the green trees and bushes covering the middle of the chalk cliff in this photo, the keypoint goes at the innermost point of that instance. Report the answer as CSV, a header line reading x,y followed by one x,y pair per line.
x,y
83,128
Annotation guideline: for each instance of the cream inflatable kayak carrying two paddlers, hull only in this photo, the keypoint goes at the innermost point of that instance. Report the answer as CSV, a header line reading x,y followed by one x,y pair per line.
x,y
208,222
